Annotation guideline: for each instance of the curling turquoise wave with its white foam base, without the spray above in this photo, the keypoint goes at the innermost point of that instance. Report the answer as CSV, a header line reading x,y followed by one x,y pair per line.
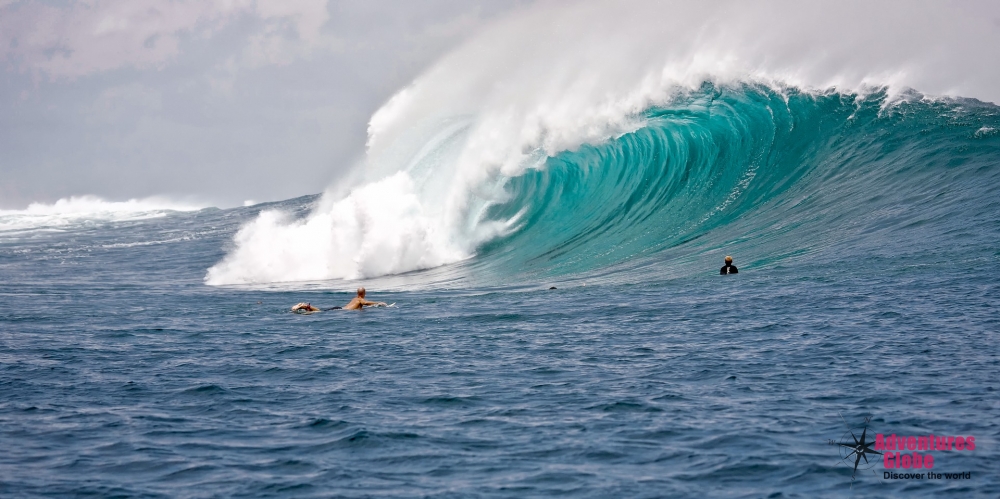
x,y
773,176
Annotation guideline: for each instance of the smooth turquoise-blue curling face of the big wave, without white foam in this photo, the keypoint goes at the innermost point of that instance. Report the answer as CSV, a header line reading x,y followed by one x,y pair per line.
x,y
777,177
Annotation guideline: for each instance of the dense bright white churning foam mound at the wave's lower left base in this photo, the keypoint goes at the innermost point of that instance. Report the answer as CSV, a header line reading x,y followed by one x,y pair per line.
x,y
378,229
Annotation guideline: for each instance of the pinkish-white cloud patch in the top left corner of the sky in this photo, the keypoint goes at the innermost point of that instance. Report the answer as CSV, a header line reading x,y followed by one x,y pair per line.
x,y
92,36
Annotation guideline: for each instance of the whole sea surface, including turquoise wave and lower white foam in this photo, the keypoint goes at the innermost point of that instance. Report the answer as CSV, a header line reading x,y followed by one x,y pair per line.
x,y
150,352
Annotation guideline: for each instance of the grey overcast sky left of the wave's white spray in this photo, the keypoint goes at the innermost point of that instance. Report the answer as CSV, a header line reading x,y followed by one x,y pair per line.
x,y
220,100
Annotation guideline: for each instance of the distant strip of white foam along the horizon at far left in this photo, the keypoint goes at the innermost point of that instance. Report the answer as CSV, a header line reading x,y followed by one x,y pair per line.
x,y
74,210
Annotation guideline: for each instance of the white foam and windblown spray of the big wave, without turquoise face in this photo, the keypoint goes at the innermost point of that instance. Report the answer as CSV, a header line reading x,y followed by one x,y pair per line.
x,y
556,77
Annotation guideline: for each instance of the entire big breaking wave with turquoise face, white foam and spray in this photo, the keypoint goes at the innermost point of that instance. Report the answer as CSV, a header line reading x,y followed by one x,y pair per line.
x,y
588,147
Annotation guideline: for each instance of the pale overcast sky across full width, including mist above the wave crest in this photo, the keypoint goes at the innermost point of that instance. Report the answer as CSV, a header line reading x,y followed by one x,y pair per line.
x,y
222,101
